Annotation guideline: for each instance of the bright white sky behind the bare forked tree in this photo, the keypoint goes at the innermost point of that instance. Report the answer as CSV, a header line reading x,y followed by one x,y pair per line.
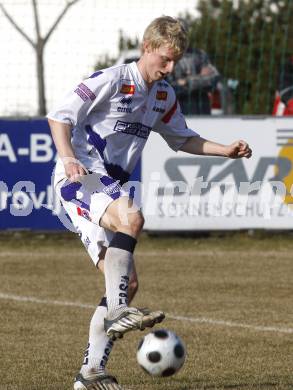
x,y
89,30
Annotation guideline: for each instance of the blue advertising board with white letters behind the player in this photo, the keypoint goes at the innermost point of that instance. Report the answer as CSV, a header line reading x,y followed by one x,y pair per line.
x,y
27,160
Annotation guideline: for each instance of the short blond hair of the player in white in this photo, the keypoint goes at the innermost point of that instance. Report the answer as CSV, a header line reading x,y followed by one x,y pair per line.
x,y
168,31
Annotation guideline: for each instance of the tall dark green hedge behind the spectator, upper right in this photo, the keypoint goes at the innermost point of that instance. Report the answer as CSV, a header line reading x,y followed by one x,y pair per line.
x,y
248,41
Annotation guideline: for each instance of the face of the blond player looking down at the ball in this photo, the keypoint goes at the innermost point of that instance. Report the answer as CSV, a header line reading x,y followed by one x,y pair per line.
x,y
159,63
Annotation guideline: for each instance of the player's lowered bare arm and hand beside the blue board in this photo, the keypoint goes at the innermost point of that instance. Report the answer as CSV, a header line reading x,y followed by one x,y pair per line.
x,y
61,133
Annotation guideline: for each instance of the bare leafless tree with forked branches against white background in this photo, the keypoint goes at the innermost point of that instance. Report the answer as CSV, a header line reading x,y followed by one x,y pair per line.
x,y
39,45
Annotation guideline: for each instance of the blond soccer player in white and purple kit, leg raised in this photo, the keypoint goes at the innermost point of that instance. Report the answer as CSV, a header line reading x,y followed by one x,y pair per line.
x,y
100,130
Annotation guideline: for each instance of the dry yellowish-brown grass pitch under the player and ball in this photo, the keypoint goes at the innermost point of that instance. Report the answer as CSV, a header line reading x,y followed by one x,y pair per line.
x,y
236,278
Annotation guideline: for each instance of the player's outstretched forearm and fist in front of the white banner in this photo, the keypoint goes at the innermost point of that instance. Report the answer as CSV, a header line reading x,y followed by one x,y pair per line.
x,y
200,146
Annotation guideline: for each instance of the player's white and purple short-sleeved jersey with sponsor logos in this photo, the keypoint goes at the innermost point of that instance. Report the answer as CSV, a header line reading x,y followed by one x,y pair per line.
x,y
112,114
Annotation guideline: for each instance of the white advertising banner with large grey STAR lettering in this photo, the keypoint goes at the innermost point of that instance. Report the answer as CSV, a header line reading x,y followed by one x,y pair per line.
x,y
188,192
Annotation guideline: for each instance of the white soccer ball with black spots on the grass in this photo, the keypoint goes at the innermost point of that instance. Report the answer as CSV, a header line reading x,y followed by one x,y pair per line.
x,y
161,353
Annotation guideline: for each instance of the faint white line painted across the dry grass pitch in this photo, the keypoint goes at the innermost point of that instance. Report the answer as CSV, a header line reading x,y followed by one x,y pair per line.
x,y
201,320
